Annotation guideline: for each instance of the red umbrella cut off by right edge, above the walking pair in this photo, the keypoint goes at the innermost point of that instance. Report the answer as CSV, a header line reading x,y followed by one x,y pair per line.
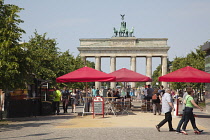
x,y
186,74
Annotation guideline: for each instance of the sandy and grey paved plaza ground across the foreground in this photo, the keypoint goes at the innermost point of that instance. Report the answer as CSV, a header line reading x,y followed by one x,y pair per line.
x,y
136,125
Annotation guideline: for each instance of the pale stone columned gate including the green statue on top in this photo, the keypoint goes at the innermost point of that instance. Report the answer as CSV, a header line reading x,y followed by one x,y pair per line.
x,y
124,44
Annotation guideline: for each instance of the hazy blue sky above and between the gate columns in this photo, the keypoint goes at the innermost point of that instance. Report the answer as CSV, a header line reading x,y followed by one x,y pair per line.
x,y
185,23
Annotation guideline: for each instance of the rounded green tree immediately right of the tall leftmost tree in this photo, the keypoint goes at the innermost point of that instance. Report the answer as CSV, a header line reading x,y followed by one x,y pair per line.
x,y
42,57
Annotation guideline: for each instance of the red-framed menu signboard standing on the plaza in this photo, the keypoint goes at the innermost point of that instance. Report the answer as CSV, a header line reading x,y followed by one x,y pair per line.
x,y
98,106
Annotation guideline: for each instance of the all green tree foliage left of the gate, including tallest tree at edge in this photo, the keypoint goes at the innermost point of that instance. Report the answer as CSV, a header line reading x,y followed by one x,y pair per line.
x,y
19,62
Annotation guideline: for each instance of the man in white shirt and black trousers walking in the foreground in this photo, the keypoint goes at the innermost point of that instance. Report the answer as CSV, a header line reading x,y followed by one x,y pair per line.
x,y
167,108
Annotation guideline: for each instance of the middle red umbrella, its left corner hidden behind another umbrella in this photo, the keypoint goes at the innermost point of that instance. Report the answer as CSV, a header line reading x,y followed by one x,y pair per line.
x,y
125,75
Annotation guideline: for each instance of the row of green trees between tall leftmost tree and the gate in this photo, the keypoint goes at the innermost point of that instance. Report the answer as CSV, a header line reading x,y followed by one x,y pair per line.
x,y
47,63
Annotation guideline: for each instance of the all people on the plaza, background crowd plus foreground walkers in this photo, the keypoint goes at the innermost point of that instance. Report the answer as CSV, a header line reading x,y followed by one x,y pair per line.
x,y
162,101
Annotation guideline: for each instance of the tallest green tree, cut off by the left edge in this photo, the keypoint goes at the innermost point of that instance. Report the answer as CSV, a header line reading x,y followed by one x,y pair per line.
x,y
11,54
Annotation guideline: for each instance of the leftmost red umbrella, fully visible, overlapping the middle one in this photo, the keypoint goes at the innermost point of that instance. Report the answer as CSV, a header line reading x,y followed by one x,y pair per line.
x,y
85,74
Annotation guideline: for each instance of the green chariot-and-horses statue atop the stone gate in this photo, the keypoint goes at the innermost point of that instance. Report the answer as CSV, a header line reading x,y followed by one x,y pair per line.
x,y
123,31
